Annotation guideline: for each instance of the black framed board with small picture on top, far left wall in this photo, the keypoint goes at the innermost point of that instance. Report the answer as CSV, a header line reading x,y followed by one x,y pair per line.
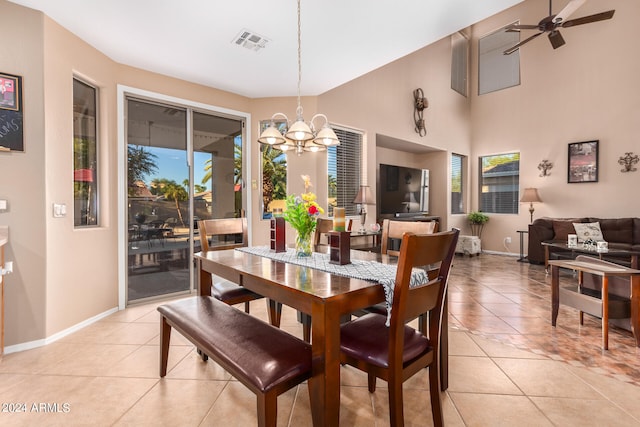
x,y
11,123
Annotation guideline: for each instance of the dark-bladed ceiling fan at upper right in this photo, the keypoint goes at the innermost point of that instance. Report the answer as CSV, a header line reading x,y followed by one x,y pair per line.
x,y
552,23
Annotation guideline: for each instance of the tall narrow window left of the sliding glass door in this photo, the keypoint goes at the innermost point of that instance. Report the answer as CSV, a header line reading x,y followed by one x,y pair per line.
x,y
85,156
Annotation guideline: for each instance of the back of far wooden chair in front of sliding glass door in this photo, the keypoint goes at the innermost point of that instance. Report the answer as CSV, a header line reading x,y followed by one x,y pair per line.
x,y
225,233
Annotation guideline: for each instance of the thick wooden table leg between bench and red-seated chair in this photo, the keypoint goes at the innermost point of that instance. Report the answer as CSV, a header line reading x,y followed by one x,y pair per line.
x,y
324,385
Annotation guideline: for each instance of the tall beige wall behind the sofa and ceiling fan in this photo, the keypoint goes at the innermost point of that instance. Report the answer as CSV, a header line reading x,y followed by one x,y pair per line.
x,y
585,90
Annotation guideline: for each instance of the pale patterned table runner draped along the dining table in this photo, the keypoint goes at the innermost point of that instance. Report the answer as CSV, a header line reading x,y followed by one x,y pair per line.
x,y
371,271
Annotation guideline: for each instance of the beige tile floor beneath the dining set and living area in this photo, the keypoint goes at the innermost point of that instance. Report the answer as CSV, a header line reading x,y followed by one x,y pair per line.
x,y
508,367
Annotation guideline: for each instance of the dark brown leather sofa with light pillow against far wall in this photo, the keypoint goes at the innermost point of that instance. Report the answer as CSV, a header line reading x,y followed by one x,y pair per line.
x,y
620,233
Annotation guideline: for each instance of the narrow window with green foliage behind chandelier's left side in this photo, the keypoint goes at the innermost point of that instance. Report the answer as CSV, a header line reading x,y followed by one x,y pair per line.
x,y
274,173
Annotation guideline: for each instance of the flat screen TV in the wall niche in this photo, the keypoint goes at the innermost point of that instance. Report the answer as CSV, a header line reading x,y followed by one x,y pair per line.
x,y
403,190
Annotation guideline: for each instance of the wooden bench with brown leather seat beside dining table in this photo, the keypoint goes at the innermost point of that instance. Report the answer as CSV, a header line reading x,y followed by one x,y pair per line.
x,y
262,357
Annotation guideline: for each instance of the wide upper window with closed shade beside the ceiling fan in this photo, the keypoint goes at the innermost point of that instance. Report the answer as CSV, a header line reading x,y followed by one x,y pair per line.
x,y
496,70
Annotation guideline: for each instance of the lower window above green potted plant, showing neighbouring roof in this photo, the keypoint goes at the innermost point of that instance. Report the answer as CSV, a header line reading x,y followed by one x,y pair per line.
x,y
499,183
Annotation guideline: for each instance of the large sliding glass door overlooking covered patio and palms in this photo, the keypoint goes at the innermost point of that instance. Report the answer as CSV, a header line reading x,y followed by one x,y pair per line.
x,y
182,166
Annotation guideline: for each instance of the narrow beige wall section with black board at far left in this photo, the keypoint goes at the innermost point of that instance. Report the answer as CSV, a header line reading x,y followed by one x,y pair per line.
x,y
22,181
